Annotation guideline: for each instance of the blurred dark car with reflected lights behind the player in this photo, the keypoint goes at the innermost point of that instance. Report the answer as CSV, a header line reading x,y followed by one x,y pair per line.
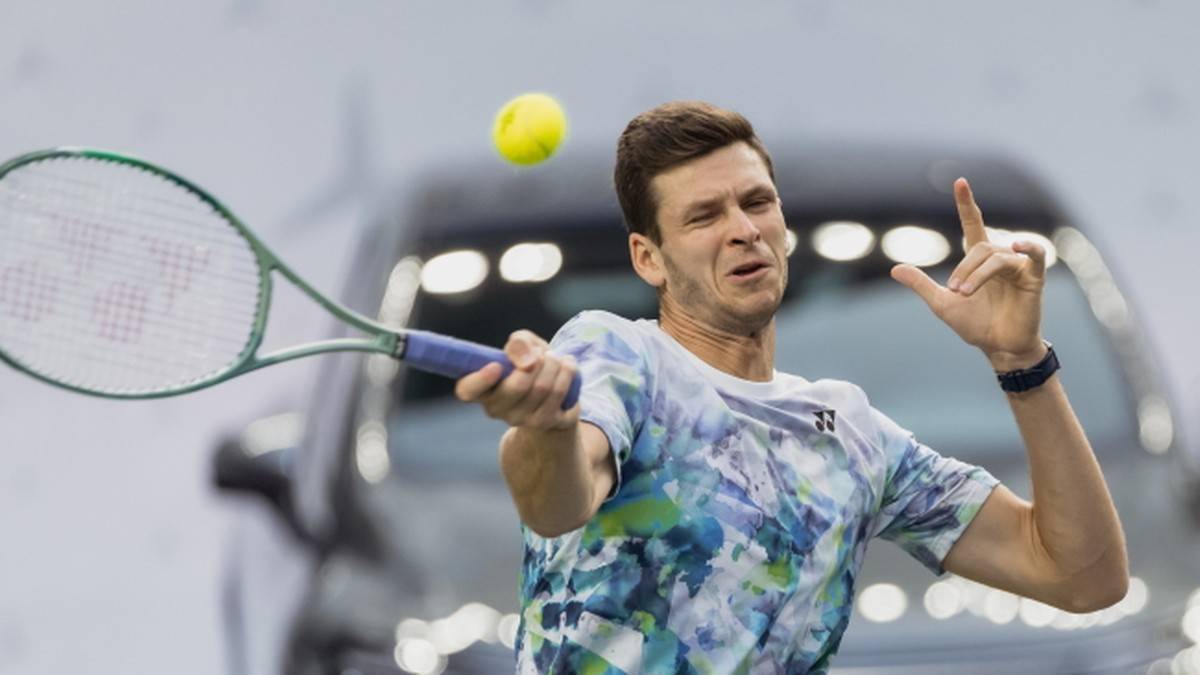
x,y
394,546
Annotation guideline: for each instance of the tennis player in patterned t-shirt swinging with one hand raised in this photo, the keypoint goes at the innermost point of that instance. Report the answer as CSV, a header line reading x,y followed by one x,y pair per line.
x,y
701,512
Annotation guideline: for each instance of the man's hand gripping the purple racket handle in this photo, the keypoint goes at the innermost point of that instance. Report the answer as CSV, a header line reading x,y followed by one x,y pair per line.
x,y
532,396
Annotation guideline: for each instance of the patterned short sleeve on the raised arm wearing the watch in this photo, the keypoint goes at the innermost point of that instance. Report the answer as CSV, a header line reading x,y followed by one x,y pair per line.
x,y
928,500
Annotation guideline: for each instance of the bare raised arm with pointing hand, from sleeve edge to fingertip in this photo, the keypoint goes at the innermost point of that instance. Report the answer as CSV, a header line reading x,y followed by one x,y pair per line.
x,y
1067,548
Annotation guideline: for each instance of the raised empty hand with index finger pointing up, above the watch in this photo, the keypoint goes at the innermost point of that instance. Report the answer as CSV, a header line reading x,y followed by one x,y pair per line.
x,y
994,297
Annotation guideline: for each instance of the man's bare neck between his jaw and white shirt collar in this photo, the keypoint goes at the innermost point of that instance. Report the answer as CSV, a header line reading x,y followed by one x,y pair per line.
x,y
749,356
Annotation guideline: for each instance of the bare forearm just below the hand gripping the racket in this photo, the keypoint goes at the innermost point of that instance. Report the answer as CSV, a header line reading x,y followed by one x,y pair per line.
x,y
551,477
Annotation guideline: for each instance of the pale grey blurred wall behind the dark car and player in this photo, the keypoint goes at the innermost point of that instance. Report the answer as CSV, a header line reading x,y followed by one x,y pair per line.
x,y
309,120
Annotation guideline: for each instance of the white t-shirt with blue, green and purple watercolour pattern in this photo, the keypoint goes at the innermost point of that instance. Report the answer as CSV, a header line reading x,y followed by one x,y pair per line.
x,y
740,521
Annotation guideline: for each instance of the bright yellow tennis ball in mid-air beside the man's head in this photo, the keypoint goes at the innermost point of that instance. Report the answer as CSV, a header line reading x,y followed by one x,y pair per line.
x,y
529,129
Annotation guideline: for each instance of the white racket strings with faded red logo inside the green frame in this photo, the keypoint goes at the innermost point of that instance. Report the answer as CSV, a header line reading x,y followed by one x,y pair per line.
x,y
119,280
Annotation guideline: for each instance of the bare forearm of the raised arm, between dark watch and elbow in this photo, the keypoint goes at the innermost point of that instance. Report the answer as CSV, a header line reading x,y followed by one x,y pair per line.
x,y
1073,515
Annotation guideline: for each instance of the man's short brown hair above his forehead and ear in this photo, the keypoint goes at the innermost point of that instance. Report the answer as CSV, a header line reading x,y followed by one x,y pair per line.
x,y
665,138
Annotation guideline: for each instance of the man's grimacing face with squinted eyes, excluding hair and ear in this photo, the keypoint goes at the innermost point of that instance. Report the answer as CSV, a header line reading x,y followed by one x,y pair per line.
x,y
724,249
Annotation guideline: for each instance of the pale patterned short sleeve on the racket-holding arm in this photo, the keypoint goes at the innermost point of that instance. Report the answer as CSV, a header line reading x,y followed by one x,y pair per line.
x,y
615,396
